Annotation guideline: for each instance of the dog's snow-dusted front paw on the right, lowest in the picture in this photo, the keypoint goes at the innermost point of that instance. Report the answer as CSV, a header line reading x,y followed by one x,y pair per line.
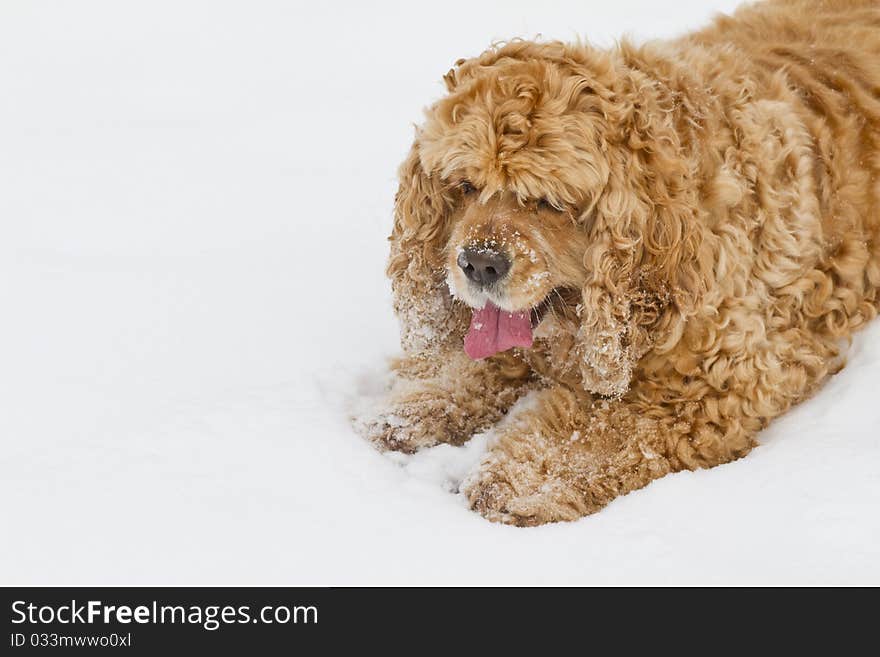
x,y
522,492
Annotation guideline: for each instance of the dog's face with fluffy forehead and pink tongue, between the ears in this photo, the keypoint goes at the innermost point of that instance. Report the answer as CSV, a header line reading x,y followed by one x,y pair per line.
x,y
519,150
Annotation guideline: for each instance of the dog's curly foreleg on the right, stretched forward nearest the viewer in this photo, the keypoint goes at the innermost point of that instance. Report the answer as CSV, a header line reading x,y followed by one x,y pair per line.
x,y
569,455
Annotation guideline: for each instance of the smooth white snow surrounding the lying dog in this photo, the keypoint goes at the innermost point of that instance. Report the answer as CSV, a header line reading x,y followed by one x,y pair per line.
x,y
193,204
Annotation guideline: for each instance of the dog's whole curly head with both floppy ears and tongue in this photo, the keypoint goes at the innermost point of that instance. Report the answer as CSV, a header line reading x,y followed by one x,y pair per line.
x,y
548,185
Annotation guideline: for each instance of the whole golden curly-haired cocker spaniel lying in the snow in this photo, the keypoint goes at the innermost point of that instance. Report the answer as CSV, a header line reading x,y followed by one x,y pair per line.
x,y
691,228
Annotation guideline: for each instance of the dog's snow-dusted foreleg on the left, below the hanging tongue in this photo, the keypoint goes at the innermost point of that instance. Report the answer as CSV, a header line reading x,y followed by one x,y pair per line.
x,y
444,399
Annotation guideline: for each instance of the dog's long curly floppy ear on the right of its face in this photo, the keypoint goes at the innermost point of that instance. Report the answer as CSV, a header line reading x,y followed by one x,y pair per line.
x,y
647,261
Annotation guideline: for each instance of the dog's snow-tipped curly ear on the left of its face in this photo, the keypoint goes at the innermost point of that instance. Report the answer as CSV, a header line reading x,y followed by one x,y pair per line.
x,y
428,318
